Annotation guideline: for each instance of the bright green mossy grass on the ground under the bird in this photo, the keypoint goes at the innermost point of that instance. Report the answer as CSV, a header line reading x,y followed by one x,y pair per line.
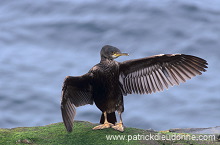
x,y
55,134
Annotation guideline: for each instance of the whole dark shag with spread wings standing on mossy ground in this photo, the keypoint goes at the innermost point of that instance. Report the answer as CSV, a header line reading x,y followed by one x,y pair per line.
x,y
107,82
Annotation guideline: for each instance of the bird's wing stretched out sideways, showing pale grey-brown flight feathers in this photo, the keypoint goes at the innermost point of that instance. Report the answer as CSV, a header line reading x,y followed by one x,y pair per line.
x,y
152,74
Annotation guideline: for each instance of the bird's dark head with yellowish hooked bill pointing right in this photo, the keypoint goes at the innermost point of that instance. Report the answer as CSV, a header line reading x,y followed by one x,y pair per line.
x,y
111,52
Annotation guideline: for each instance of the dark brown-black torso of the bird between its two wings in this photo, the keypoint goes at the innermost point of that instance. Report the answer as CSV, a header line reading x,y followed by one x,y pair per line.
x,y
106,89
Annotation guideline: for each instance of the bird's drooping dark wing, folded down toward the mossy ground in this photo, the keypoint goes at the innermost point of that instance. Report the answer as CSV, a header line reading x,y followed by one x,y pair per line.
x,y
76,92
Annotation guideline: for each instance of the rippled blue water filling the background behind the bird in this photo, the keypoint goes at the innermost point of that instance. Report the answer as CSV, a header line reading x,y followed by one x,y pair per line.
x,y
41,42
